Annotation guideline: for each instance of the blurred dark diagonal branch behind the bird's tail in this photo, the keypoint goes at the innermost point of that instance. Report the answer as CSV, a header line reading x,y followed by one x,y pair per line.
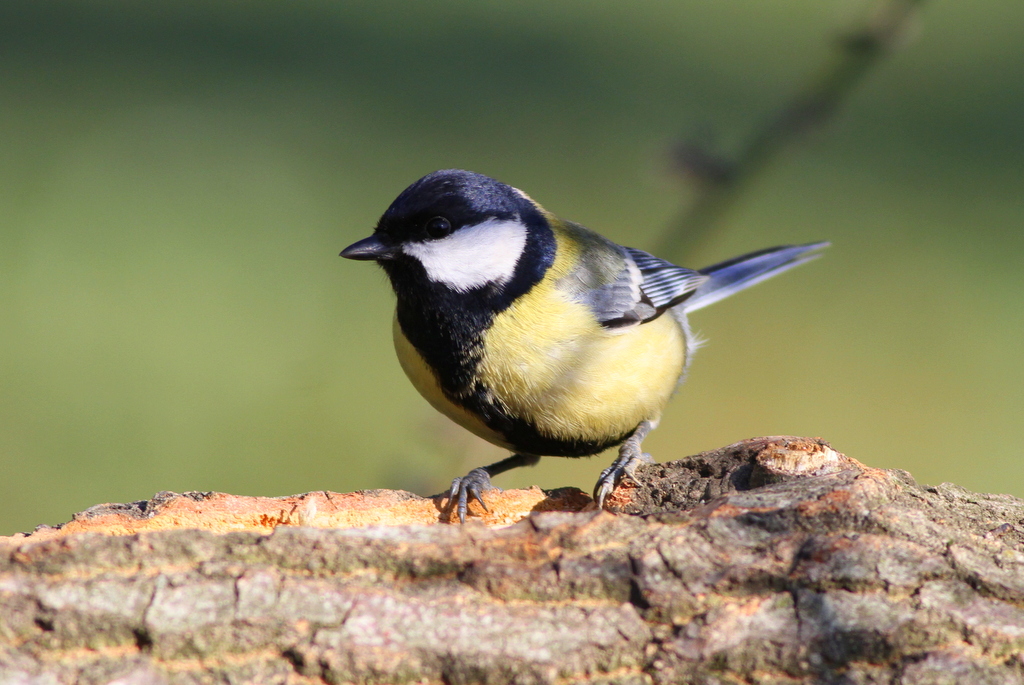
x,y
720,181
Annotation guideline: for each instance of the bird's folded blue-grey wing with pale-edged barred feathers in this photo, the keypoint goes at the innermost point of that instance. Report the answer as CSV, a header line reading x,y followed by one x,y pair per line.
x,y
642,290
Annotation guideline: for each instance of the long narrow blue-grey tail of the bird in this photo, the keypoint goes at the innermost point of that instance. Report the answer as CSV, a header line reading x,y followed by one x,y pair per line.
x,y
736,275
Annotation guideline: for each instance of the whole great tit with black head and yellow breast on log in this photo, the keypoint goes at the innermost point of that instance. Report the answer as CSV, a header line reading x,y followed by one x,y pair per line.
x,y
536,333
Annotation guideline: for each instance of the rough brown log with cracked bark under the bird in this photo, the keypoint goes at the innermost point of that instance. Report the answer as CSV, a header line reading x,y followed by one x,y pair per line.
x,y
774,561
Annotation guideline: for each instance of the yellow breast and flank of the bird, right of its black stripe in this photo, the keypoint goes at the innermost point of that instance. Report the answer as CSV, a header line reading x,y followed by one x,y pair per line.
x,y
547,360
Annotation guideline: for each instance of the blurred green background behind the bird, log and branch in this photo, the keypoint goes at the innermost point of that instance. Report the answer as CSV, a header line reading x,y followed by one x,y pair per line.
x,y
178,179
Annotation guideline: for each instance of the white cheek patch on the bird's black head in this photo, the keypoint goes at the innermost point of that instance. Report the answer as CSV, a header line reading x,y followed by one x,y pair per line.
x,y
473,256
